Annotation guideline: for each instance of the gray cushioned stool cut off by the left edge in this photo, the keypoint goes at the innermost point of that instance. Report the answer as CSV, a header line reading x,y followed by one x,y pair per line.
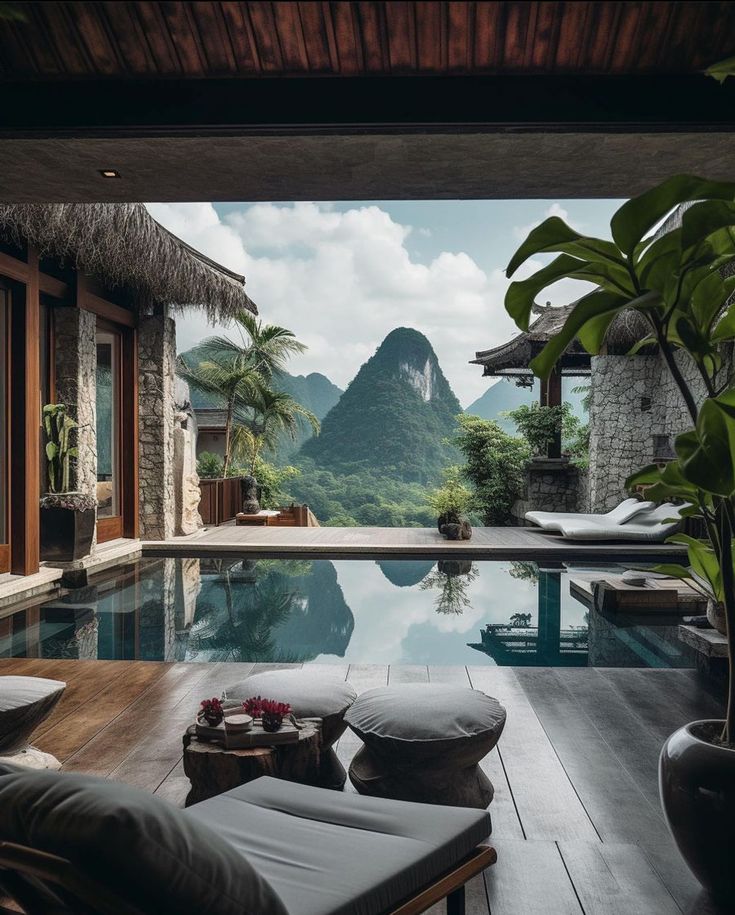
x,y
24,703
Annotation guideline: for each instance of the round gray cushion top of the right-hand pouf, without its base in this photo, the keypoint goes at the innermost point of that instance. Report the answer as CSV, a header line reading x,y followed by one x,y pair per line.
x,y
419,722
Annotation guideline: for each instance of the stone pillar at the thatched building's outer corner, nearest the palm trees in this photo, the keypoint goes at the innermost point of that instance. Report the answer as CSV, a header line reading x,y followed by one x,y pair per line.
x,y
156,411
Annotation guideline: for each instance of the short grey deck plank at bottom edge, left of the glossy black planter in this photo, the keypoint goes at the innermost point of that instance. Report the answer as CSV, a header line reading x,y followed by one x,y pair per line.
x,y
612,879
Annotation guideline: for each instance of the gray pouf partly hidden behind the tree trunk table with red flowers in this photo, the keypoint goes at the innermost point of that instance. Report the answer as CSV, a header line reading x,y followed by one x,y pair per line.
x,y
310,695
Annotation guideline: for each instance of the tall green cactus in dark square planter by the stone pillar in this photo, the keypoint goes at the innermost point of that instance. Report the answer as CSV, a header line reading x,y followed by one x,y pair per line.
x,y
67,517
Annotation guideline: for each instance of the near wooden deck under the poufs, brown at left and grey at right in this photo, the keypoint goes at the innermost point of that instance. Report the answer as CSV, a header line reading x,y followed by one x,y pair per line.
x,y
577,821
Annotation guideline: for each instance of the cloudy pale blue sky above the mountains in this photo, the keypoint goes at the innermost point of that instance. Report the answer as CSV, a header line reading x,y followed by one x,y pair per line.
x,y
343,275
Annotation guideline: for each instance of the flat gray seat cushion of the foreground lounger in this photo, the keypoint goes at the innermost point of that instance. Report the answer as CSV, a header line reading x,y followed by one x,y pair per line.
x,y
340,854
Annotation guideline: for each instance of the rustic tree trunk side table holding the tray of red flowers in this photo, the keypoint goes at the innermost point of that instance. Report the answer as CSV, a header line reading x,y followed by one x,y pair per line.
x,y
212,769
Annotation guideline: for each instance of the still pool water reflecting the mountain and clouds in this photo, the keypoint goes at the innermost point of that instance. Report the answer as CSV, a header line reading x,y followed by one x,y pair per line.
x,y
356,611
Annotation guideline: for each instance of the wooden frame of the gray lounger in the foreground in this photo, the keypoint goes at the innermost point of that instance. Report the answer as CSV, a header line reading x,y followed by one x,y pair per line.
x,y
44,884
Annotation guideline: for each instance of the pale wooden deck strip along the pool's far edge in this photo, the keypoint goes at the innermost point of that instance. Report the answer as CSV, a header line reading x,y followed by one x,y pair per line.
x,y
502,543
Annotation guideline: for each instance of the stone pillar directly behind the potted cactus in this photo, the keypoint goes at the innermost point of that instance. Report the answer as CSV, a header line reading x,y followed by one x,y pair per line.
x,y
75,361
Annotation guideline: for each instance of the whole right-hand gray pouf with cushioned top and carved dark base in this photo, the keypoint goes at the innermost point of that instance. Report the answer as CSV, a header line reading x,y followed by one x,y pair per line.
x,y
423,742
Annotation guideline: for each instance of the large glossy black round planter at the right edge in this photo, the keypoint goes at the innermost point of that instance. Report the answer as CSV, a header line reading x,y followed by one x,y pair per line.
x,y
697,782
